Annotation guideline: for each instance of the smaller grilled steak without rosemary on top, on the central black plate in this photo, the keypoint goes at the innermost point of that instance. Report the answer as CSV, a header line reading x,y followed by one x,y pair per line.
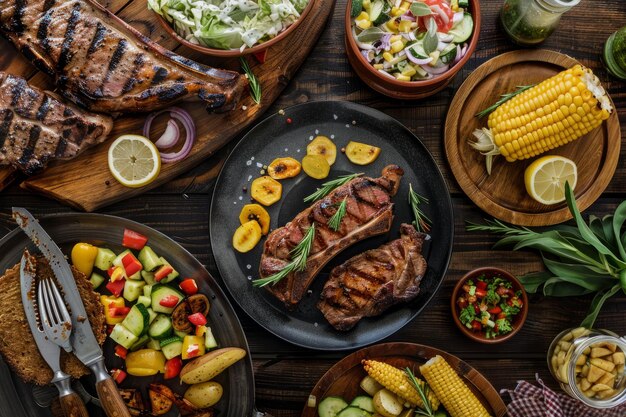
x,y
373,281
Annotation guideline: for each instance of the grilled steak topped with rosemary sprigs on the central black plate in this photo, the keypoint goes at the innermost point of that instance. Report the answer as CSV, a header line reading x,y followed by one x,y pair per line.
x,y
369,213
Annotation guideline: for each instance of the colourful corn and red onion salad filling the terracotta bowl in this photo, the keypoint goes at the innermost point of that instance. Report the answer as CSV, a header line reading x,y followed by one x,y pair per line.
x,y
412,40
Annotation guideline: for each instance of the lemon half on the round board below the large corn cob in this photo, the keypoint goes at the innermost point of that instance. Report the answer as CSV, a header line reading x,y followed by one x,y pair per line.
x,y
545,178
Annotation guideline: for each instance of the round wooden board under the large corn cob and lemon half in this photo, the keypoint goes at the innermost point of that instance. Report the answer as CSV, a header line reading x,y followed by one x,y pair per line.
x,y
503,194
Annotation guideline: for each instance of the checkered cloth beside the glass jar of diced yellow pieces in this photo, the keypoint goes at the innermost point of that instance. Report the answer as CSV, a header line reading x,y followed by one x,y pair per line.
x,y
528,400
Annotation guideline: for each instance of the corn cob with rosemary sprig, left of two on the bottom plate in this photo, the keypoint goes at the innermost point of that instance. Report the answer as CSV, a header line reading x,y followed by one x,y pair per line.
x,y
396,381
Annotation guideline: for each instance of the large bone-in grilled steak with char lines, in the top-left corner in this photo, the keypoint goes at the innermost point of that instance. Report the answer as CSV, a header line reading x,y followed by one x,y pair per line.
x,y
102,63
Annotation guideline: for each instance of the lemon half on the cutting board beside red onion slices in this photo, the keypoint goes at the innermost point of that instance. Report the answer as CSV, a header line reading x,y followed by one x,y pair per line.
x,y
134,161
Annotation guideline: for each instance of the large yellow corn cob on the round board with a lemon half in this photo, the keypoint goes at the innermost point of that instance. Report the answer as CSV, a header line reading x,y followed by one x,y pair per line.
x,y
554,112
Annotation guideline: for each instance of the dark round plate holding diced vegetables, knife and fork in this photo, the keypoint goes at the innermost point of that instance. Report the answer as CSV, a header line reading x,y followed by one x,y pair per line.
x,y
98,229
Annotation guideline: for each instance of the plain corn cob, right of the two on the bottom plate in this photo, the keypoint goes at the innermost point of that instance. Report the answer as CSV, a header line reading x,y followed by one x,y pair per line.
x,y
455,396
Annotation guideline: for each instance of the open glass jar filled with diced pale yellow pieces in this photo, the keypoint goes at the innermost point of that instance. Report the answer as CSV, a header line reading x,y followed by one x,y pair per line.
x,y
589,365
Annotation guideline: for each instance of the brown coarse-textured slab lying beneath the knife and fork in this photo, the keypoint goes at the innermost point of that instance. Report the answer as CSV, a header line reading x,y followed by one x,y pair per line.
x,y
17,345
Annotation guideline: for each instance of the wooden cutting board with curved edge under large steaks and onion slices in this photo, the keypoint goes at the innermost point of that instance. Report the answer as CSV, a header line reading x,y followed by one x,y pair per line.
x,y
86,183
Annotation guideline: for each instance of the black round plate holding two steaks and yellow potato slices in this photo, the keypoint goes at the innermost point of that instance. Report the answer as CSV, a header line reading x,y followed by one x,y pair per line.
x,y
288,135
